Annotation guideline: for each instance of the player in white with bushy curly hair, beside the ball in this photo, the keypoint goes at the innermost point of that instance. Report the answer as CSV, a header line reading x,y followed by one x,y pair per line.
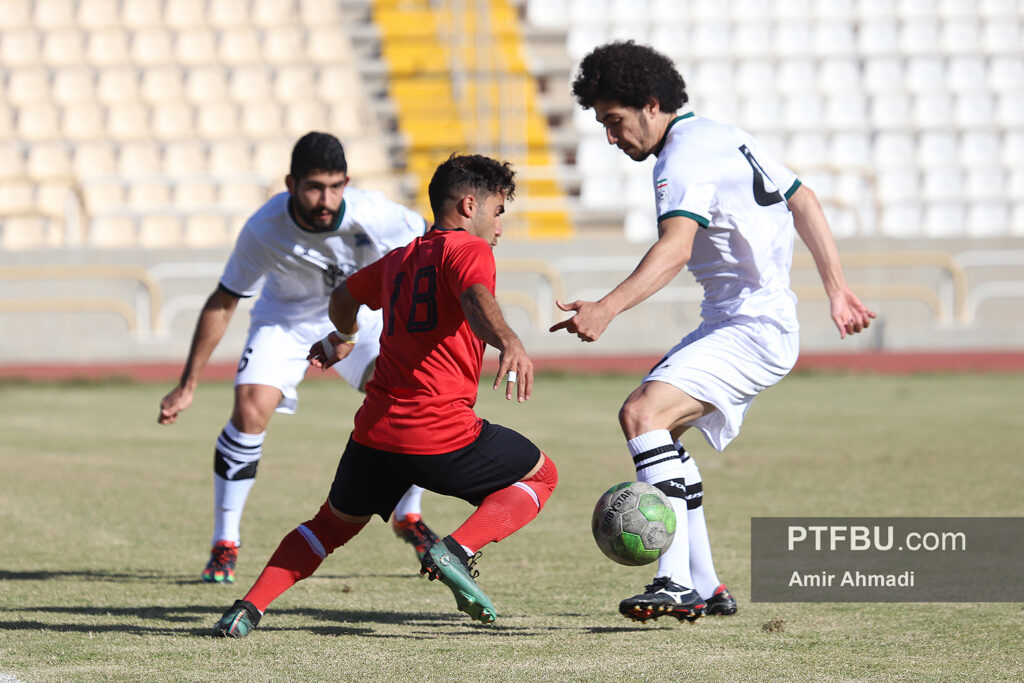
x,y
729,211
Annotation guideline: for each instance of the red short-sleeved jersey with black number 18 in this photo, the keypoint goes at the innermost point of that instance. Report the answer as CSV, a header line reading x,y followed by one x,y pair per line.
x,y
421,398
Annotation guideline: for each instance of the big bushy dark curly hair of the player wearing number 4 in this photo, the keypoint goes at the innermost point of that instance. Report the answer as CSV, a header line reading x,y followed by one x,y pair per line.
x,y
630,75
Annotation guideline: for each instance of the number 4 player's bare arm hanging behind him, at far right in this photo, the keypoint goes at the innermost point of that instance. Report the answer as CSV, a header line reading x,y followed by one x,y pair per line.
x,y
849,315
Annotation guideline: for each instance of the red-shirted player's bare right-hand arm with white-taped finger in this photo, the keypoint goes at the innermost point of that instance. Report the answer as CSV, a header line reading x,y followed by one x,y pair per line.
x,y
487,322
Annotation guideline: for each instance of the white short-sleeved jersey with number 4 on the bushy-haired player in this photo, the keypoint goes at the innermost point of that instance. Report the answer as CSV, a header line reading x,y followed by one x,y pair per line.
x,y
719,177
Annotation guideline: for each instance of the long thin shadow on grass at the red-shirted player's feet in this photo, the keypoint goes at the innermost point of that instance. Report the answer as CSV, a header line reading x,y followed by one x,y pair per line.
x,y
426,626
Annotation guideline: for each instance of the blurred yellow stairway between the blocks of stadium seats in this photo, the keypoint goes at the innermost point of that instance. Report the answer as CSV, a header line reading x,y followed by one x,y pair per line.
x,y
460,84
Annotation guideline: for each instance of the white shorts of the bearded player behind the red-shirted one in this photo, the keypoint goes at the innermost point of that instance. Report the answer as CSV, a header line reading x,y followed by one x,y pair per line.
x,y
276,356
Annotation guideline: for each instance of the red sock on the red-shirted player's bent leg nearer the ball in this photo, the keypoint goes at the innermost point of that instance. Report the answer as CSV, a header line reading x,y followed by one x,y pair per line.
x,y
508,510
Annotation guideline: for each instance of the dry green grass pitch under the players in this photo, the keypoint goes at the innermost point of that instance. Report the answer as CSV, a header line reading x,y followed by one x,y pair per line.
x,y
106,526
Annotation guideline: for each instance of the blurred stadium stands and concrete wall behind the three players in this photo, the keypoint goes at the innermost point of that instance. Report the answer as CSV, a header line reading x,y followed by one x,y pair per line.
x,y
137,137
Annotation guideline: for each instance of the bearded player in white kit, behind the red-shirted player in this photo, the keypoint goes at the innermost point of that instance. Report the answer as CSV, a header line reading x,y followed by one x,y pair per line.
x,y
293,251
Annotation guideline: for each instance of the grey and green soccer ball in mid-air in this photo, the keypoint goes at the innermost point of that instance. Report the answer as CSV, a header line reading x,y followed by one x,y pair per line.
x,y
633,524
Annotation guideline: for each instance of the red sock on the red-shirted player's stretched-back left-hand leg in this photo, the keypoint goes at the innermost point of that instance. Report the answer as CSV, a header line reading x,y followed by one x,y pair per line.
x,y
300,554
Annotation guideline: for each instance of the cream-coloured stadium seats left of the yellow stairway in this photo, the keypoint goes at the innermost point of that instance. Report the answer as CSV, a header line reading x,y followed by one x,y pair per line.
x,y
170,119
